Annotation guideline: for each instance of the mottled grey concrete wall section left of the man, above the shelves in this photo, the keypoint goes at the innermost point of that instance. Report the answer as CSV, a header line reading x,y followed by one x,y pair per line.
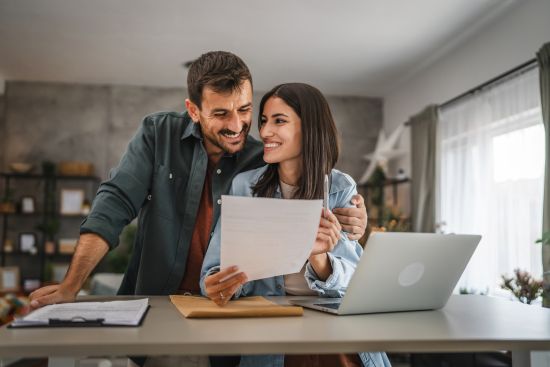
x,y
54,121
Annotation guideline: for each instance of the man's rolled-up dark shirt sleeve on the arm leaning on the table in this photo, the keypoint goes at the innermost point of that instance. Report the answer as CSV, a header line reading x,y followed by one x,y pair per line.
x,y
120,198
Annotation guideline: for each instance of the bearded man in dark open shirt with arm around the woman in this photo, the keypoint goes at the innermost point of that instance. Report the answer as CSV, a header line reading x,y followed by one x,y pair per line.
x,y
172,175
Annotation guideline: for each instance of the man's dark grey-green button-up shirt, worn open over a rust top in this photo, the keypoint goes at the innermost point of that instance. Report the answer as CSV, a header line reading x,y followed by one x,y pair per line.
x,y
160,178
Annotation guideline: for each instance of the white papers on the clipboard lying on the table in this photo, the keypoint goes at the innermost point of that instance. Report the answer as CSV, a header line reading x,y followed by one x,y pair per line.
x,y
123,313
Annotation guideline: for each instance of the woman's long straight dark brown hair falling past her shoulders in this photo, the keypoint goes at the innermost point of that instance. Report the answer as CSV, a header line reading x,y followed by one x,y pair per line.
x,y
320,146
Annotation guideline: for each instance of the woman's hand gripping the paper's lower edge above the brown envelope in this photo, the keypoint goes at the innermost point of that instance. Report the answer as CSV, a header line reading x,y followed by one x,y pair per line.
x,y
219,289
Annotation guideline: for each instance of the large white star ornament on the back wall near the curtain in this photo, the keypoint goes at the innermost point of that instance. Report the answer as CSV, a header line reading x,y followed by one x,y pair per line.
x,y
383,152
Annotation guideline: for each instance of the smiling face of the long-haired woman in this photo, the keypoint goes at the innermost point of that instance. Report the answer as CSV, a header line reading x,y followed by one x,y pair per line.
x,y
281,132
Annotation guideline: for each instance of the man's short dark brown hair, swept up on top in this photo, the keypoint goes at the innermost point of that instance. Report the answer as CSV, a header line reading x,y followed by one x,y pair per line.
x,y
221,71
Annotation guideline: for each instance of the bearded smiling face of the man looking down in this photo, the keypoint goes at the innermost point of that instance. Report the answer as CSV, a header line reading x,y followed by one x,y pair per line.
x,y
224,118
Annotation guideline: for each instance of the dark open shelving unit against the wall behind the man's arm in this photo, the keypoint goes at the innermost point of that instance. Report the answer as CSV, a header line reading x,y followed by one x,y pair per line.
x,y
45,189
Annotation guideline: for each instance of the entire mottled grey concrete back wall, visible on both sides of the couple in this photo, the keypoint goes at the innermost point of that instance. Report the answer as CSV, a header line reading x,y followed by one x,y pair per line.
x,y
55,121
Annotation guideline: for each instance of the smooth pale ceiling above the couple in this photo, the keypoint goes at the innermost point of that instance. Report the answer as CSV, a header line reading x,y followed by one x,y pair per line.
x,y
355,47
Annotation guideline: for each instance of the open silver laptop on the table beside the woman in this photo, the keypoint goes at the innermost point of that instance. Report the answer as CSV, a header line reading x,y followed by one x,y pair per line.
x,y
402,272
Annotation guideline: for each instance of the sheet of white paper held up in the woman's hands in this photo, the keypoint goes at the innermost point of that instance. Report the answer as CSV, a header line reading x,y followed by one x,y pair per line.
x,y
267,237
